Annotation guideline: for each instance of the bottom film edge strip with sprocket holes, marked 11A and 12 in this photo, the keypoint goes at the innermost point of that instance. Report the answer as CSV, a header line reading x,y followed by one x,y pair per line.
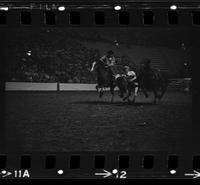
x,y
136,165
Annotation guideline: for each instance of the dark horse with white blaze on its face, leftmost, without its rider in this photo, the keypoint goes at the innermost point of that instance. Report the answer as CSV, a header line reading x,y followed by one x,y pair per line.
x,y
105,77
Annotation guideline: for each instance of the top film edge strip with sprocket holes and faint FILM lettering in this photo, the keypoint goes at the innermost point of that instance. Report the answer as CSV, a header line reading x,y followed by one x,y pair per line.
x,y
139,15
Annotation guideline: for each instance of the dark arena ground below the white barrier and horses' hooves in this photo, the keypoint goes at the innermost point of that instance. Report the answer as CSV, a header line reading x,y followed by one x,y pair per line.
x,y
80,121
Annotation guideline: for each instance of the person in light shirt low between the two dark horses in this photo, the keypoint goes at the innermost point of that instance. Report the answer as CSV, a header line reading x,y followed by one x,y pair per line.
x,y
131,78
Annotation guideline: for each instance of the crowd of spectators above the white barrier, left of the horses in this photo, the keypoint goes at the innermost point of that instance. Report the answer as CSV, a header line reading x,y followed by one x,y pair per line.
x,y
41,63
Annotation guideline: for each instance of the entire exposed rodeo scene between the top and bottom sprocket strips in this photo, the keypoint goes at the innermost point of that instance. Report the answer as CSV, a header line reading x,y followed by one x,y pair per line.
x,y
83,89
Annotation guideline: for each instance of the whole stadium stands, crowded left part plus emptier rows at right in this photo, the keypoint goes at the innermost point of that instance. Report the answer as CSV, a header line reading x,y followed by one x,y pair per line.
x,y
53,55
